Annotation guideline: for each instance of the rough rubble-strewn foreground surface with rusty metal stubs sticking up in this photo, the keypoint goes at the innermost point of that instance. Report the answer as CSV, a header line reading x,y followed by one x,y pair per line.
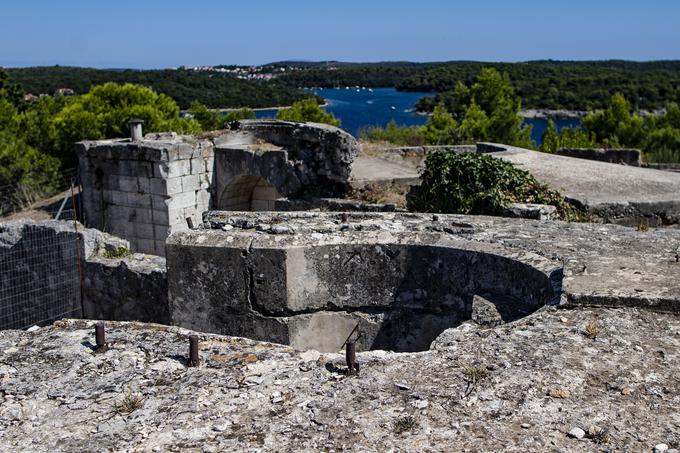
x,y
612,373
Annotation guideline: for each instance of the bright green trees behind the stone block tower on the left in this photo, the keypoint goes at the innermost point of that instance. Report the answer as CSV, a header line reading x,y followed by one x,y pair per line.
x,y
37,135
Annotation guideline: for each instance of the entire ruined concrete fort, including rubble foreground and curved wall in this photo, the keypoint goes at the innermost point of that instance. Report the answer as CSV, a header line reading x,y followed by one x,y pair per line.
x,y
531,335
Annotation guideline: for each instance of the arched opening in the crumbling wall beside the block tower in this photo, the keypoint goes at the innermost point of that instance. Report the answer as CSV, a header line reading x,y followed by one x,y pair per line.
x,y
248,193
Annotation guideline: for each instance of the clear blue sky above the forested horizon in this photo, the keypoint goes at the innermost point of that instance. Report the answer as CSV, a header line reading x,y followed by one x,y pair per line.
x,y
170,33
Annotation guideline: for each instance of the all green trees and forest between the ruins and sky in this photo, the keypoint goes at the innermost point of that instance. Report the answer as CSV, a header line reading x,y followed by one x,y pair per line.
x,y
37,135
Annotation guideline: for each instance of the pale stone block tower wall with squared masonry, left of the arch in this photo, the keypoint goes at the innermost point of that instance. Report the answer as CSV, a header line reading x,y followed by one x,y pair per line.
x,y
143,191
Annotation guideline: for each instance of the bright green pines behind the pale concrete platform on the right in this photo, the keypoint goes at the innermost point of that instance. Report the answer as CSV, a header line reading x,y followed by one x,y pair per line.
x,y
489,109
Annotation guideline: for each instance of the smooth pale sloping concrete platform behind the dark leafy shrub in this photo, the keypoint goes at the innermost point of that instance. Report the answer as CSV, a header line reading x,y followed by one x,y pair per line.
x,y
616,193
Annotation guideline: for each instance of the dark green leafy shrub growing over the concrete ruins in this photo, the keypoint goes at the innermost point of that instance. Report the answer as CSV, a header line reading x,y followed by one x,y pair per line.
x,y
479,184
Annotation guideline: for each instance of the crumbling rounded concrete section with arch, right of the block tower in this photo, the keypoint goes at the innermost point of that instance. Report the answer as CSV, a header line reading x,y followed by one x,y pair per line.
x,y
283,159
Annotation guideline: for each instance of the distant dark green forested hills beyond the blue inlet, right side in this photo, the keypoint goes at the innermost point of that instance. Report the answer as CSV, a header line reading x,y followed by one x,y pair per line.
x,y
570,85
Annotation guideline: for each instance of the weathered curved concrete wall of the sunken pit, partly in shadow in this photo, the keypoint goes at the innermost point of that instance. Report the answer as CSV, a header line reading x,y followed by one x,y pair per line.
x,y
403,291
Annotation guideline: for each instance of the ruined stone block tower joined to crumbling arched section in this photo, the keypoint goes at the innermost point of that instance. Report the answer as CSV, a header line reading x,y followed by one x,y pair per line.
x,y
144,190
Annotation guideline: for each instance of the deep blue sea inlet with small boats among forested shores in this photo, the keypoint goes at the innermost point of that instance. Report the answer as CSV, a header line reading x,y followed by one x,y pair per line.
x,y
360,108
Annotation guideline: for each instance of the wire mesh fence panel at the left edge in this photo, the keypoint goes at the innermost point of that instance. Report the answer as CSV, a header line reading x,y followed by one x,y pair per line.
x,y
40,279
